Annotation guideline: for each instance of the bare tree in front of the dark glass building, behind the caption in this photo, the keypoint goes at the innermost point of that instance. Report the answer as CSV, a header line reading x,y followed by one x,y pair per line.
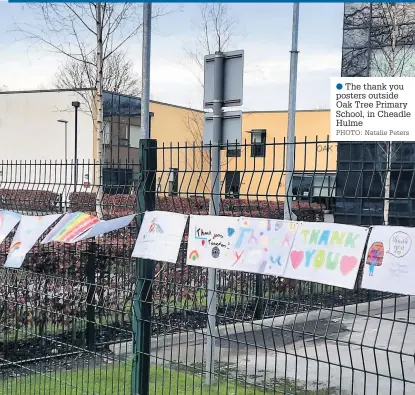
x,y
392,55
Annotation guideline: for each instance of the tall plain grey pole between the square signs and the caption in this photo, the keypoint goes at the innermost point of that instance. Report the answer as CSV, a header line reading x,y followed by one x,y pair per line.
x,y
288,214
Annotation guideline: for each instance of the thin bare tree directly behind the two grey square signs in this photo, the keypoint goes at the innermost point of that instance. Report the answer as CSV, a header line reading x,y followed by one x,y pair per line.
x,y
217,28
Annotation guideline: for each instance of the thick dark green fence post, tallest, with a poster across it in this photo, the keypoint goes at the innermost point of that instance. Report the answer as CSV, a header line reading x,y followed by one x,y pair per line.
x,y
142,301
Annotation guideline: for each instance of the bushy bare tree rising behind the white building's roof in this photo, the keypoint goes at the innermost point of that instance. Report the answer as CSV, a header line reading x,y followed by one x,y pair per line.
x,y
118,77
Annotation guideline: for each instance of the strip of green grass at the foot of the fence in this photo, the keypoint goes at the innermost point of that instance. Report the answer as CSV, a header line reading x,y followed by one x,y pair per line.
x,y
115,379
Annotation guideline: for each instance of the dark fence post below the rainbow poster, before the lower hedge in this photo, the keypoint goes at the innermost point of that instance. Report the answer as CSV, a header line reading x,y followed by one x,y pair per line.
x,y
90,308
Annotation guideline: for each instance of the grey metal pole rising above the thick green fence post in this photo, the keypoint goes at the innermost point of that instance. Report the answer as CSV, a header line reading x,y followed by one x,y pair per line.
x,y
145,91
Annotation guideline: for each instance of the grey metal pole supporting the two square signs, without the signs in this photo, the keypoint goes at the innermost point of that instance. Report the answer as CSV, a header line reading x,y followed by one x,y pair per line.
x,y
214,210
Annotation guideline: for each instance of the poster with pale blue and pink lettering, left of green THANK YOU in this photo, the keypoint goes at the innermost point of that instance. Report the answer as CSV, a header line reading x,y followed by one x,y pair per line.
x,y
263,245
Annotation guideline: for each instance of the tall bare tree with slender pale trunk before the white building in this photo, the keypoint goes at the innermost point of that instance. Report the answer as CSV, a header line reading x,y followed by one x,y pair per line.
x,y
89,34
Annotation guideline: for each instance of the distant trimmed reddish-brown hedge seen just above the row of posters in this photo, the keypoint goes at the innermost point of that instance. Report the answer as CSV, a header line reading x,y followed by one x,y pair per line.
x,y
119,205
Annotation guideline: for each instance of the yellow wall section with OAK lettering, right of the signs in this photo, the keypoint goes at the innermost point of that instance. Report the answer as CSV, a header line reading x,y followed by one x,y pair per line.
x,y
313,153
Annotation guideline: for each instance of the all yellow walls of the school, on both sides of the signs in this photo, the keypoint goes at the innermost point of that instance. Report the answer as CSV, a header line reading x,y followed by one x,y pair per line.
x,y
177,126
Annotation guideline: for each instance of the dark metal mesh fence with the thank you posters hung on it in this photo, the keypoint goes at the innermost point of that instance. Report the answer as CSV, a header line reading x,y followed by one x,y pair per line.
x,y
68,316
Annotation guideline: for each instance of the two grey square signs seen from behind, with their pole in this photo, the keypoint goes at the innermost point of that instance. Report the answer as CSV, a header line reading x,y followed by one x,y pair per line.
x,y
223,88
